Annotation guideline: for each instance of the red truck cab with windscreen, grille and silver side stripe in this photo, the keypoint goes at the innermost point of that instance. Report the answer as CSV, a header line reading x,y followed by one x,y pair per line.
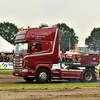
x,y
27,59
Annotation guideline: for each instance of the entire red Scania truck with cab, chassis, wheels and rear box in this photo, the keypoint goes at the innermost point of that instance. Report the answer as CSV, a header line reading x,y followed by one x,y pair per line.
x,y
36,57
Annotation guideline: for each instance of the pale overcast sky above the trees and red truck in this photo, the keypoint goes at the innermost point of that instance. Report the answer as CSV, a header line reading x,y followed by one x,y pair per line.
x,y
81,15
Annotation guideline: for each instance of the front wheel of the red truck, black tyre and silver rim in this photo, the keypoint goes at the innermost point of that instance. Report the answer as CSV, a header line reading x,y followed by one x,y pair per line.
x,y
42,76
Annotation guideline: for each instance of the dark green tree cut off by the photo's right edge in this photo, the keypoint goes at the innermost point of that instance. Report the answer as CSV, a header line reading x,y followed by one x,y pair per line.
x,y
93,41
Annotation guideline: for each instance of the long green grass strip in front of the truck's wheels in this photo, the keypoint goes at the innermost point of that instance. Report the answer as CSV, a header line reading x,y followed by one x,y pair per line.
x,y
60,85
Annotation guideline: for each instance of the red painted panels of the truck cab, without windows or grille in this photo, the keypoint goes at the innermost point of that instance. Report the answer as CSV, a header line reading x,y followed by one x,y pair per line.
x,y
46,36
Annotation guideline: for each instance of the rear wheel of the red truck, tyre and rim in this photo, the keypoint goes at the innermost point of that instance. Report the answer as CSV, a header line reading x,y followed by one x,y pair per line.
x,y
88,76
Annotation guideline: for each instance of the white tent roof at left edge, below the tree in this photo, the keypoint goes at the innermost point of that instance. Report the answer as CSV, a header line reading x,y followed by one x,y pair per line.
x,y
5,46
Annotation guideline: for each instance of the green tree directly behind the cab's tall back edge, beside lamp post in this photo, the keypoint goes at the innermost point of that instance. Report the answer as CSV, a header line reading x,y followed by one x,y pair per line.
x,y
66,36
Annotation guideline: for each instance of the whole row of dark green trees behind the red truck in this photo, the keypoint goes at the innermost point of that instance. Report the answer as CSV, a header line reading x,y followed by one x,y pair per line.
x,y
67,36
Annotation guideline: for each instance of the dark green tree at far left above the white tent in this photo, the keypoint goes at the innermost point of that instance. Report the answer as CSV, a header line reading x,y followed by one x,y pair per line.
x,y
8,31
